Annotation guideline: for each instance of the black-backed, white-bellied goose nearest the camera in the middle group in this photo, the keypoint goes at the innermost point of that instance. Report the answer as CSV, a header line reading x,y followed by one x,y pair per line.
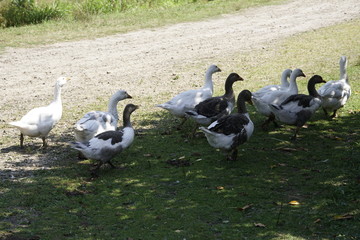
x,y
229,131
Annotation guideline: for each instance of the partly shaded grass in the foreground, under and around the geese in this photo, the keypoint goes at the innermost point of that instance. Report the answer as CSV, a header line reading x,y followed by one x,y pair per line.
x,y
152,199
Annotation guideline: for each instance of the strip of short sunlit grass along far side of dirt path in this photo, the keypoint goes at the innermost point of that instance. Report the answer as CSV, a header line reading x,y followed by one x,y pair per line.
x,y
97,25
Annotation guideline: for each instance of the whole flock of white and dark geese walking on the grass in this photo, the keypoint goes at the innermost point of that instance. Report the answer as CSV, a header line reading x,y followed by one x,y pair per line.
x,y
98,138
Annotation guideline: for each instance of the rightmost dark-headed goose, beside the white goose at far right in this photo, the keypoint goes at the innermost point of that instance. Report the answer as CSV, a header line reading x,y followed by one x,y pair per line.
x,y
298,108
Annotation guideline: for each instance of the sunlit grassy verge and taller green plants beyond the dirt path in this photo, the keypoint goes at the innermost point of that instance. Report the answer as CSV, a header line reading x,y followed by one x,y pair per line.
x,y
78,22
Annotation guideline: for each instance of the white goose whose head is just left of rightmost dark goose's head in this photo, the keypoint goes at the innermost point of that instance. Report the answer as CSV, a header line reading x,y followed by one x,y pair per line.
x,y
276,97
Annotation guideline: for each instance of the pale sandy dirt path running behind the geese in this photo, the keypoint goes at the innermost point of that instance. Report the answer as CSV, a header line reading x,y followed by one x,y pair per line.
x,y
142,62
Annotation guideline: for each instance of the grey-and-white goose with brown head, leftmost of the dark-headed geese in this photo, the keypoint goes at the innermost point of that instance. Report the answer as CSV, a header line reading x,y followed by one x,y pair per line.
x,y
106,145
